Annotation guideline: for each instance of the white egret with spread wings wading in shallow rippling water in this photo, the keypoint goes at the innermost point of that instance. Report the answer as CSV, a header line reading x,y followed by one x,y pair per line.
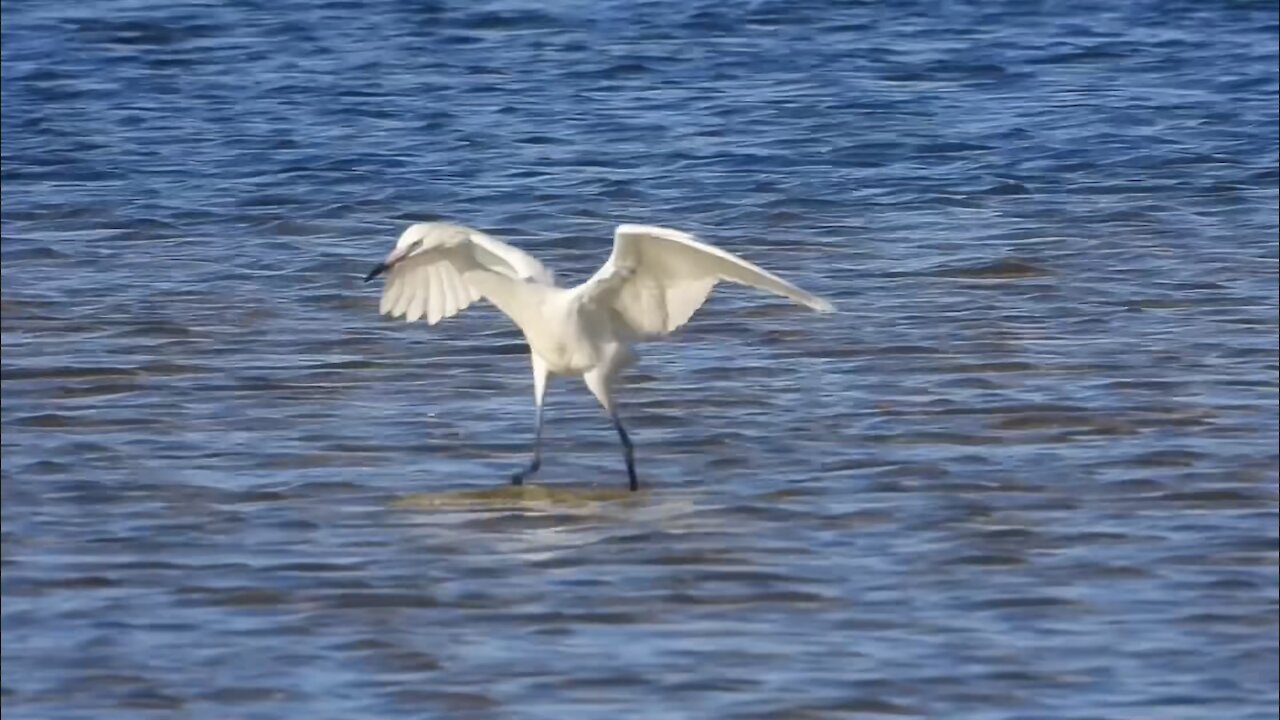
x,y
651,285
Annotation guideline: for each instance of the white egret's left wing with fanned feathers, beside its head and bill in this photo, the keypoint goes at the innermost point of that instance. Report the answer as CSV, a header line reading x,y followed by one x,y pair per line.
x,y
454,267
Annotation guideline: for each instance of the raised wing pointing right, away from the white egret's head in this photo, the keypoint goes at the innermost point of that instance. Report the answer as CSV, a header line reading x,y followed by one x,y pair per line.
x,y
659,277
